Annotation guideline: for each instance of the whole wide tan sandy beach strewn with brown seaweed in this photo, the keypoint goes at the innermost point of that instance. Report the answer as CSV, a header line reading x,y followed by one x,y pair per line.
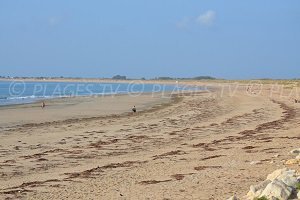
x,y
200,146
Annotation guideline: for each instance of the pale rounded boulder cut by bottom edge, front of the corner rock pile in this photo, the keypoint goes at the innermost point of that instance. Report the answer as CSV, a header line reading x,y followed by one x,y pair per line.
x,y
277,189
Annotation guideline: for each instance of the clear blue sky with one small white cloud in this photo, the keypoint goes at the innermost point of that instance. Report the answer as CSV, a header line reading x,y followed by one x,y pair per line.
x,y
230,39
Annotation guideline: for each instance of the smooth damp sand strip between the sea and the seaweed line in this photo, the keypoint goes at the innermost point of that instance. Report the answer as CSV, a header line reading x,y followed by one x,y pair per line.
x,y
80,107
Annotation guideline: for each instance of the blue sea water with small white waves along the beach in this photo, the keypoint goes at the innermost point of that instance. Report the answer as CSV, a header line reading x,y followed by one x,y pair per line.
x,y
19,92
